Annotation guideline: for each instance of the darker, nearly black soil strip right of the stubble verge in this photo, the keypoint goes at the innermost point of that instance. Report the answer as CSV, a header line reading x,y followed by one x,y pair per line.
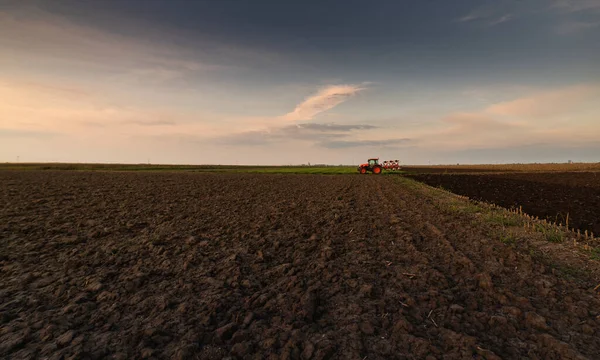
x,y
547,195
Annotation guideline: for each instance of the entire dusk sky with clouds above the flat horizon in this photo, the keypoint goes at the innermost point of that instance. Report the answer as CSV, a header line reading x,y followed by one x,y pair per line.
x,y
293,82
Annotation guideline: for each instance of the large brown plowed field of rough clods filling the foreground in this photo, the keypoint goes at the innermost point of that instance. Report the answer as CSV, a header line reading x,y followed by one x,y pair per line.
x,y
210,266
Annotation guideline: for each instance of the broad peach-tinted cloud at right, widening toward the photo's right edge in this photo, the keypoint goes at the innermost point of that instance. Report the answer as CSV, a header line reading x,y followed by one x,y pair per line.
x,y
564,117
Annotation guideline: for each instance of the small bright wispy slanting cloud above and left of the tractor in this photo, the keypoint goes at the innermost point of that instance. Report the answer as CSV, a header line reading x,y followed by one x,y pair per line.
x,y
325,99
